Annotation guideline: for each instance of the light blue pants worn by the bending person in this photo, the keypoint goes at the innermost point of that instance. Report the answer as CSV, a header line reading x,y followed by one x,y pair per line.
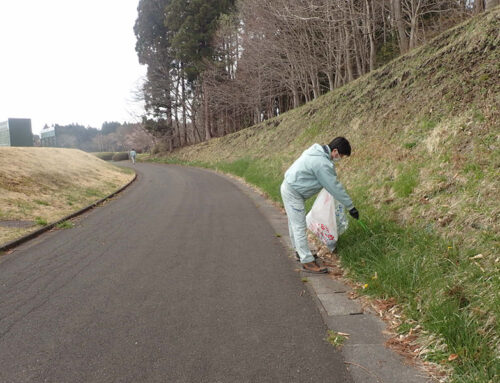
x,y
296,212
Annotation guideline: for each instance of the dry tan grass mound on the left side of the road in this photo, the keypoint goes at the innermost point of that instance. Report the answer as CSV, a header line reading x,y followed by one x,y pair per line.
x,y
43,185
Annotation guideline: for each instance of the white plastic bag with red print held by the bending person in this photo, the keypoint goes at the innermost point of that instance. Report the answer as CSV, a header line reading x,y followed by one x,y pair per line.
x,y
327,219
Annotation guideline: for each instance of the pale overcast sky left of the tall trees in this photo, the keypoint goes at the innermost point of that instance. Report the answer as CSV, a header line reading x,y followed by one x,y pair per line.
x,y
68,61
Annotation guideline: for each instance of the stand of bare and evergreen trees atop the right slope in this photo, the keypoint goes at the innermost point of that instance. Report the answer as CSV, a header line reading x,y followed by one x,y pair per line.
x,y
217,66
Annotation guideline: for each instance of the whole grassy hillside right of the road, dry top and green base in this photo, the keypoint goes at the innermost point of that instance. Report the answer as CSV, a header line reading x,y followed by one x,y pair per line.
x,y
424,175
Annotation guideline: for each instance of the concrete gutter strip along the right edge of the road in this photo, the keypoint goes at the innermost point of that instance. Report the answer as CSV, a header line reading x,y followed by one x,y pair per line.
x,y
365,354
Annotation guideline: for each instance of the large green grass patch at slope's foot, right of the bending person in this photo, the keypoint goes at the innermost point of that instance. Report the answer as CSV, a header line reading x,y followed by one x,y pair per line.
x,y
433,283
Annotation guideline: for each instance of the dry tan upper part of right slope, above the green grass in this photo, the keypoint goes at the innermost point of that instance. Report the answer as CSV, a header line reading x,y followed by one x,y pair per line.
x,y
423,127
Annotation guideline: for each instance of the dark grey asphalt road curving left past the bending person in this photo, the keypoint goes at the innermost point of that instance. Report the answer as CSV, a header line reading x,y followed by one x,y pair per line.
x,y
178,279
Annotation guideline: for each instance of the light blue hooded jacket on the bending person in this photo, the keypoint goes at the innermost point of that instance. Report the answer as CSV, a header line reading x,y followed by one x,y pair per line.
x,y
314,170
